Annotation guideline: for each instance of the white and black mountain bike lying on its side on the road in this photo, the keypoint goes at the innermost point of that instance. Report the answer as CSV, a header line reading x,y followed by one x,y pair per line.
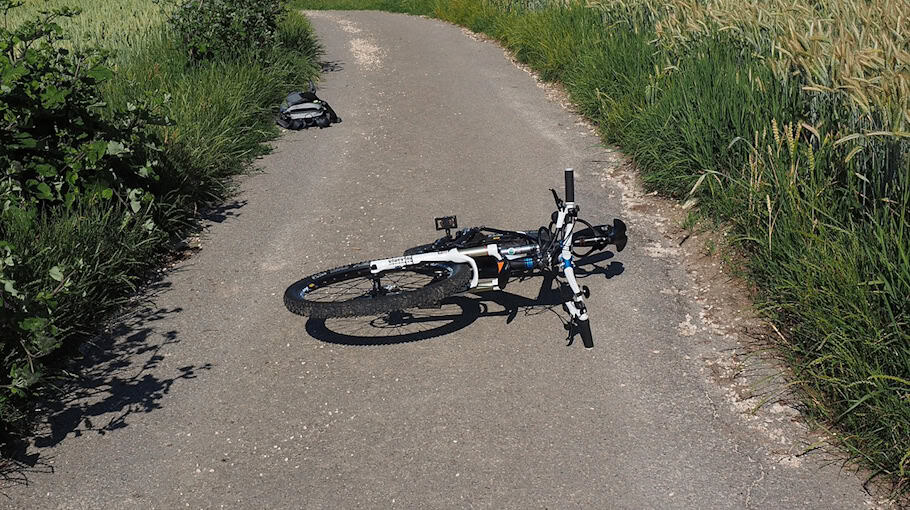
x,y
474,259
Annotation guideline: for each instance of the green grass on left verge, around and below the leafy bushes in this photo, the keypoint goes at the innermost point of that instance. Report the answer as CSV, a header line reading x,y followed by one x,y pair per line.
x,y
220,114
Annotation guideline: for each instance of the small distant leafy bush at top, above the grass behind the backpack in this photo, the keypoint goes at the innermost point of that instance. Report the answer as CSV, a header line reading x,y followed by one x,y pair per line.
x,y
221,28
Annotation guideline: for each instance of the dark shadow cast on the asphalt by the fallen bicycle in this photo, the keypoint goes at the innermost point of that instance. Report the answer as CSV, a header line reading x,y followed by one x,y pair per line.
x,y
455,313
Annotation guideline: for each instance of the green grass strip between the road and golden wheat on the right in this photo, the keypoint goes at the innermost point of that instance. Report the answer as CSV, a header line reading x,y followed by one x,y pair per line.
x,y
826,233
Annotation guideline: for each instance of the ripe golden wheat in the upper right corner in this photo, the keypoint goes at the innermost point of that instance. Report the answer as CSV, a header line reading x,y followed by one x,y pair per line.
x,y
849,59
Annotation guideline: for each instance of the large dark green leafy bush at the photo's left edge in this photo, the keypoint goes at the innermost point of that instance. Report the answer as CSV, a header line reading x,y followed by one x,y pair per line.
x,y
58,150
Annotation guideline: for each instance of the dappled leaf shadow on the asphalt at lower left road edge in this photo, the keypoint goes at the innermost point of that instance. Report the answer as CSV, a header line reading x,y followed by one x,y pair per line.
x,y
113,377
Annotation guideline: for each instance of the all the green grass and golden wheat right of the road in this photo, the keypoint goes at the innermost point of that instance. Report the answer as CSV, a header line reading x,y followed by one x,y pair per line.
x,y
785,119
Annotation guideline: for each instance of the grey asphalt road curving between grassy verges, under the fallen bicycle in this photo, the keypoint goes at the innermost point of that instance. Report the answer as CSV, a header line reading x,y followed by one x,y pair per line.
x,y
214,396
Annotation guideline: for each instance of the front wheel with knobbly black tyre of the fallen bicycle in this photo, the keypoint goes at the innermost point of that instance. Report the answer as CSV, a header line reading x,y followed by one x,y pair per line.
x,y
352,291
